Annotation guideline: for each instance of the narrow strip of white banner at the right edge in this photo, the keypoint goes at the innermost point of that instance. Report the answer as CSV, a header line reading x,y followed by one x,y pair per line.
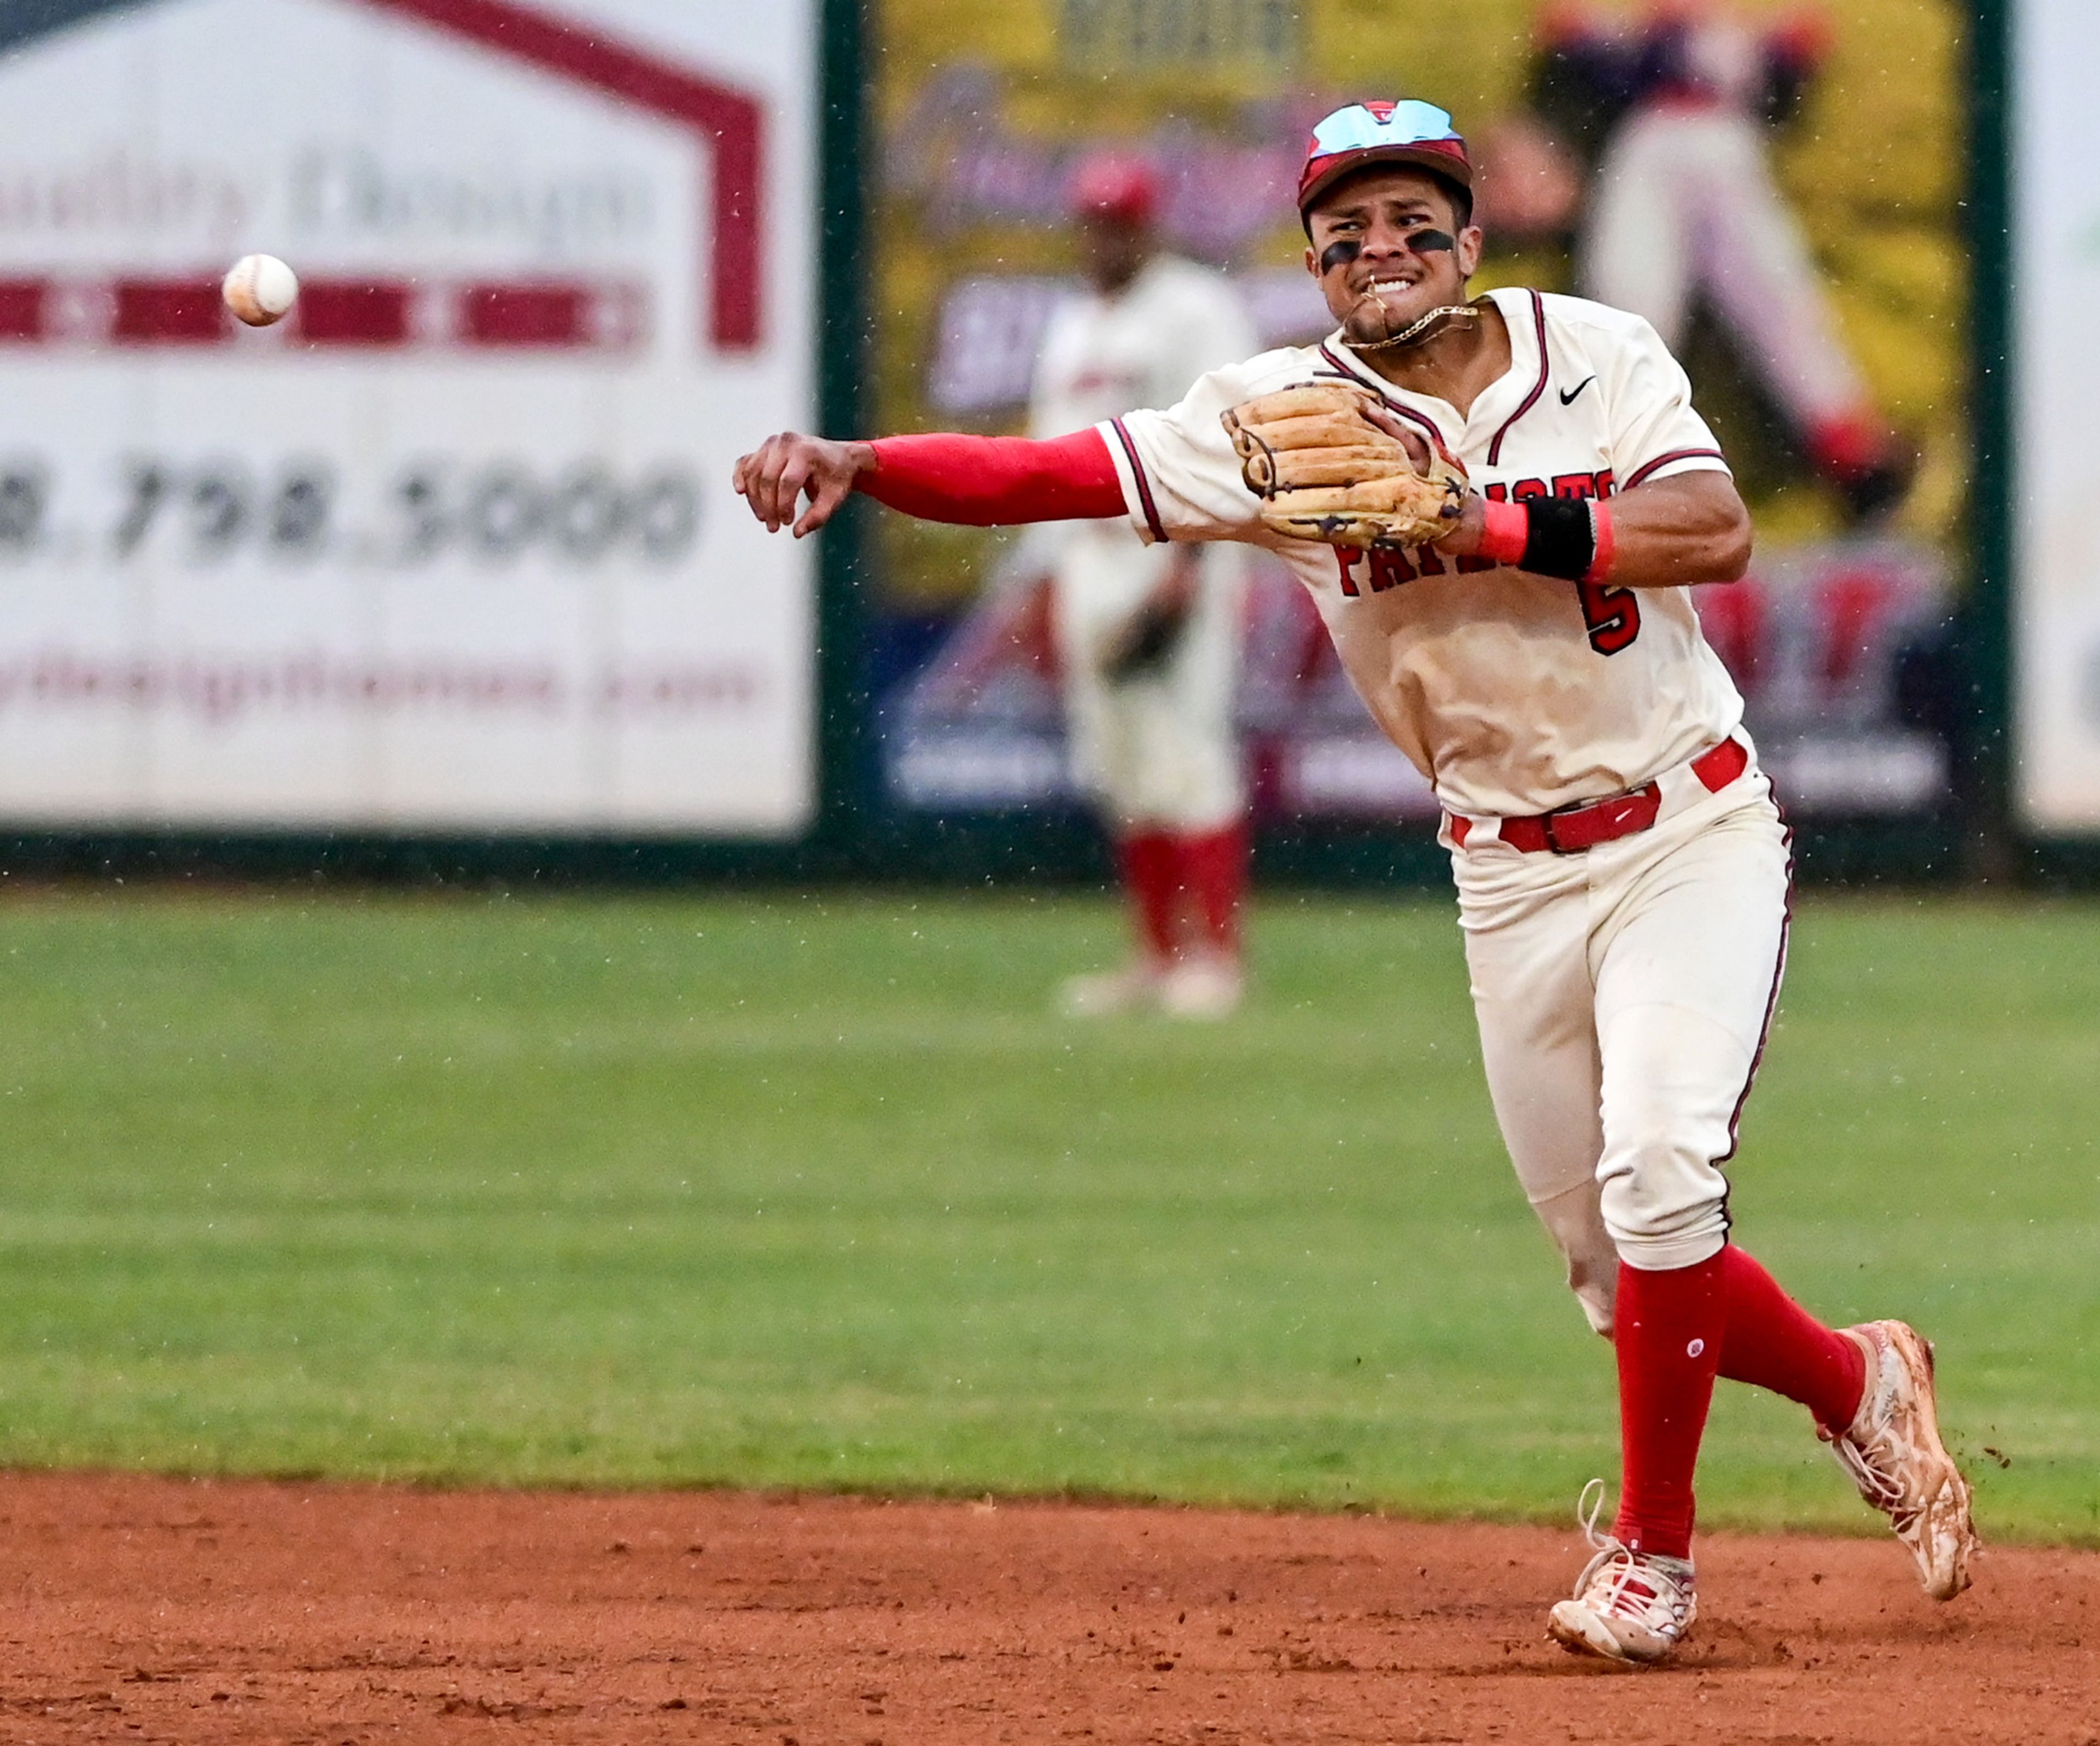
x,y
2057,419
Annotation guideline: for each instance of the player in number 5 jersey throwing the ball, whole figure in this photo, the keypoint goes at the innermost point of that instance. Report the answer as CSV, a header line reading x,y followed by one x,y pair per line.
x,y
1498,507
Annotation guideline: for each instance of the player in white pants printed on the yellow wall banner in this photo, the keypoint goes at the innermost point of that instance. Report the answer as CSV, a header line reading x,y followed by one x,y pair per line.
x,y
1677,110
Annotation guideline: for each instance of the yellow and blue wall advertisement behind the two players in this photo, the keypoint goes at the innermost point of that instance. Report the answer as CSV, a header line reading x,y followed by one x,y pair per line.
x,y
1782,190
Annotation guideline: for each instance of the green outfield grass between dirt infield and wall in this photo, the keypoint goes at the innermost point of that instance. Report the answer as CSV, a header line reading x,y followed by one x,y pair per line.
x,y
816,1192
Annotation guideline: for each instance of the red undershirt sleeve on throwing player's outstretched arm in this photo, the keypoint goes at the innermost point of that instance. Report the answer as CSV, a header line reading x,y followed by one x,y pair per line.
x,y
996,482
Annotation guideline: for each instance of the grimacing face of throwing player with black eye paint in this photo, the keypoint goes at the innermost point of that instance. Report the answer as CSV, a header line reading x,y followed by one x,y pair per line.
x,y
1387,251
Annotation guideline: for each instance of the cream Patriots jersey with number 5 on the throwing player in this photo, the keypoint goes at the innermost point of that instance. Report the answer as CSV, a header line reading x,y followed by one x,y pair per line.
x,y
1511,692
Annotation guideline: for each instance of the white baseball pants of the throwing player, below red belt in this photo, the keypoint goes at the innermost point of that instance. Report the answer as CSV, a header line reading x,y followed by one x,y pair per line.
x,y
1624,995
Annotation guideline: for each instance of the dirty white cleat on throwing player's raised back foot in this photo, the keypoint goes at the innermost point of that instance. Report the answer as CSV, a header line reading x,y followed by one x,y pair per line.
x,y
1899,1463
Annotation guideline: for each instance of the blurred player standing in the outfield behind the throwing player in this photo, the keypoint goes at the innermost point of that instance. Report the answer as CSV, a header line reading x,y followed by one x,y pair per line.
x,y
1150,636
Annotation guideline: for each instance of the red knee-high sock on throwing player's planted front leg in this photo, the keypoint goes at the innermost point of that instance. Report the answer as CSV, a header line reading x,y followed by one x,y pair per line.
x,y
1668,1333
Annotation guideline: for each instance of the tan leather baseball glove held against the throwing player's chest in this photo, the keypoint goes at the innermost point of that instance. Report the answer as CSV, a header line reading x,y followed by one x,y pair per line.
x,y
1326,472
